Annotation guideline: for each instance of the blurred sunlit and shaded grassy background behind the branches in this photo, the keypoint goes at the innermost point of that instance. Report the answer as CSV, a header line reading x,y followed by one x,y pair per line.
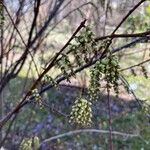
x,y
103,16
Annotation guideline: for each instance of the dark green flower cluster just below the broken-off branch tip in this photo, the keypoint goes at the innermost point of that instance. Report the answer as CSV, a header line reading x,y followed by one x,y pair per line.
x,y
83,47
